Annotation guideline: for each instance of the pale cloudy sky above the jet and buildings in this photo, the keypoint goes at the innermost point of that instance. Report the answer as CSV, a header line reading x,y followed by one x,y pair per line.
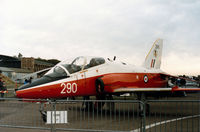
x,y
61,29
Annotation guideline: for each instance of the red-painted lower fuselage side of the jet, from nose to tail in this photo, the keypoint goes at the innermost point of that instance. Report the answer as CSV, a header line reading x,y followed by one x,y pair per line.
x,y
86,87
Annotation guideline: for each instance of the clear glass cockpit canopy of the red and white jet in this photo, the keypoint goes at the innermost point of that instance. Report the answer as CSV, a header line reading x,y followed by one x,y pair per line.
x,y
65,68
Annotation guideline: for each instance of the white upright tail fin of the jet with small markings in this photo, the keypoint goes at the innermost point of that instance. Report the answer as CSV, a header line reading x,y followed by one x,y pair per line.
x,y
153,59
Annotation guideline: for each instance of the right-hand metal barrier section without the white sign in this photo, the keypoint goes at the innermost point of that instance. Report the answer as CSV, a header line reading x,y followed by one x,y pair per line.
x,y
173,116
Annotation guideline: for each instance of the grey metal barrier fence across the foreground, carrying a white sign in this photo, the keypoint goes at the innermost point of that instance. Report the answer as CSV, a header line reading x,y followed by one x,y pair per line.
x,y
101,115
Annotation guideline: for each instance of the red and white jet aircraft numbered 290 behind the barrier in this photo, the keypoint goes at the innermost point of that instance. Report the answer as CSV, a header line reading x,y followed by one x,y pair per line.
x,y
93,76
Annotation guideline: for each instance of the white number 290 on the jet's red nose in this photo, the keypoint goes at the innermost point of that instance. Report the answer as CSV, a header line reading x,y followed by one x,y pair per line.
x,y
68,88
